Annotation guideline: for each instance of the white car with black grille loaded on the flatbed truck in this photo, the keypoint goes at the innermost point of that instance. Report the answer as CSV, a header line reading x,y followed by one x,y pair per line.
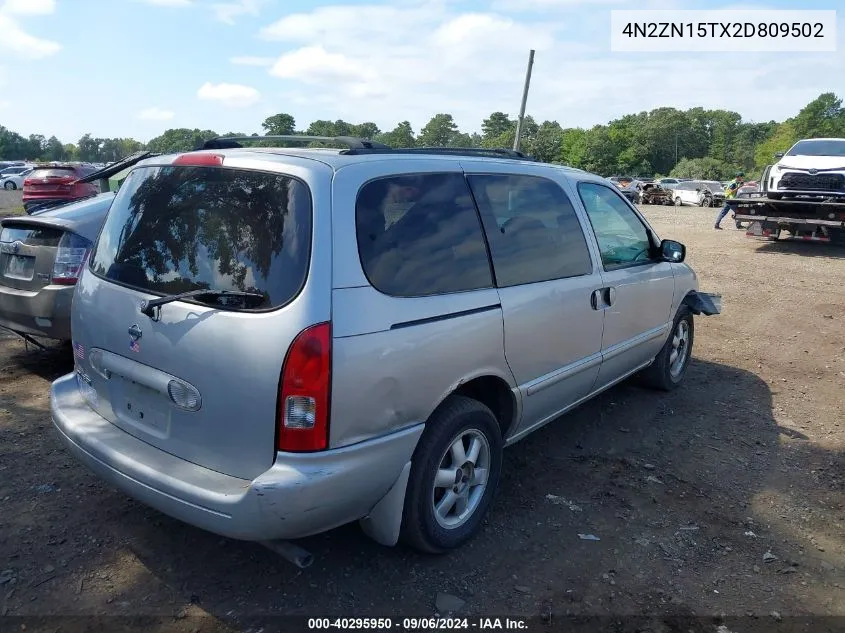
x,y
811,167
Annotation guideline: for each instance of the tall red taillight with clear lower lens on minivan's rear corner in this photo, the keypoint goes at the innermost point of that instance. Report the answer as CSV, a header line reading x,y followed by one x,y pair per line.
x,y
303,416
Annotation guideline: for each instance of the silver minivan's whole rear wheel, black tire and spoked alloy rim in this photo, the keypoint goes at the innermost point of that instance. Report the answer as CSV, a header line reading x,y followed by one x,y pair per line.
x,y
454,475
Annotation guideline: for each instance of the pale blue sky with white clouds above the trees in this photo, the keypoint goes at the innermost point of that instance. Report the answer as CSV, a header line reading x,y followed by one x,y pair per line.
x,y
136,67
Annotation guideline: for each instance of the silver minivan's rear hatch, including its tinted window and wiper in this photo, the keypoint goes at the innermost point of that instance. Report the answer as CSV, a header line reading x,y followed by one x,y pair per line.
x,y
198,378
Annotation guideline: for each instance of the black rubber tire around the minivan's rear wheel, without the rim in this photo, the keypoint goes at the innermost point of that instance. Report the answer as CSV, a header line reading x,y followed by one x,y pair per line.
x,y
456,416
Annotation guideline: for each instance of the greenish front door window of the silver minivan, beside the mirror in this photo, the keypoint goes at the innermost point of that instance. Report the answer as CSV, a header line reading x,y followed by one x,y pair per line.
x,y
623,239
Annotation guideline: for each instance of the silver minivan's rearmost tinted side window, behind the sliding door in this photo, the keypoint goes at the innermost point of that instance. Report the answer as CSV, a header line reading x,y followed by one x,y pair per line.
x,y
420,235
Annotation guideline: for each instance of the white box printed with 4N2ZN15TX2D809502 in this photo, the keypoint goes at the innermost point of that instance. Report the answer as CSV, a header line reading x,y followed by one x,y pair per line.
x,y
723,31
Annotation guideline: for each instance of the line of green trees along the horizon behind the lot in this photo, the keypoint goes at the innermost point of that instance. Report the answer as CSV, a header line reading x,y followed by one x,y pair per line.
x,y
687,143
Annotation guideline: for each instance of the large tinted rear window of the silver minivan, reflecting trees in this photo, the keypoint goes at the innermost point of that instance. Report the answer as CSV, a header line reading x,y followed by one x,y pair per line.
x,y
178,229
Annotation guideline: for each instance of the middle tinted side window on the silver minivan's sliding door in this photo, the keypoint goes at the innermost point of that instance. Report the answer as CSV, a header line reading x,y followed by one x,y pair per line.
x,y
533,230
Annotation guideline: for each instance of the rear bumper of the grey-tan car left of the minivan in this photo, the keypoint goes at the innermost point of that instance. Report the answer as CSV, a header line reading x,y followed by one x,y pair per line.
x,y
42,313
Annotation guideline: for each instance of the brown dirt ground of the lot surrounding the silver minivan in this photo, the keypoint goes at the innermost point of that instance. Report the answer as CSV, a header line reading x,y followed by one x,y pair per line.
x,y
723,498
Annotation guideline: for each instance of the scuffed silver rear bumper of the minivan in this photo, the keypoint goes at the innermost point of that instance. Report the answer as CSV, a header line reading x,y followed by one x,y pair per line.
x,y
300,495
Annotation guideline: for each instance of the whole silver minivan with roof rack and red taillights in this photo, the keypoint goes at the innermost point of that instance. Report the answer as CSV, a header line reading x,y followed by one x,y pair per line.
x,y
273,342
